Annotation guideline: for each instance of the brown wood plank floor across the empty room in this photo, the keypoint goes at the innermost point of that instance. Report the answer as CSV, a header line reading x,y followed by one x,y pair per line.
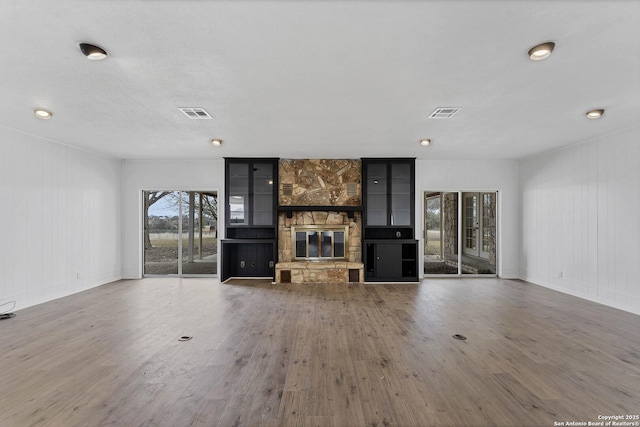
x,y
318,355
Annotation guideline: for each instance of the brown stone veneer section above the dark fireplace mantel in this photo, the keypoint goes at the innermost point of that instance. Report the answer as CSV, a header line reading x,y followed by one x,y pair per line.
x,y
320,182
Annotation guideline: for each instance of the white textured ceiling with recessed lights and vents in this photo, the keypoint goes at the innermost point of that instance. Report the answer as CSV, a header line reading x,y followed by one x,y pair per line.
x,y
319,79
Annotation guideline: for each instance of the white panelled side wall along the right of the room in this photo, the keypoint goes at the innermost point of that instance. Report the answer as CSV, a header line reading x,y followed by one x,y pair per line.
x,y
581,220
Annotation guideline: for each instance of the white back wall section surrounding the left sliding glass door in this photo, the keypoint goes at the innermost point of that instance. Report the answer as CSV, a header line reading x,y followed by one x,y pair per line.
x,y
139,175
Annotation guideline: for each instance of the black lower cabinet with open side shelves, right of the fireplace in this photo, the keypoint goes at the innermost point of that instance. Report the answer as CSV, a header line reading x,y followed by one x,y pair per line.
x,y
391,260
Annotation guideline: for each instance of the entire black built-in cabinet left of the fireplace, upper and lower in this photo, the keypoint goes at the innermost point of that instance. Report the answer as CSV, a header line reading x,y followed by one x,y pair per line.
x,y
249,249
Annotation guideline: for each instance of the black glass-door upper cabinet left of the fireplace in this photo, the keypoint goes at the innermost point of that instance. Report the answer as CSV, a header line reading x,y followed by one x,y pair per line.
x,y
251,199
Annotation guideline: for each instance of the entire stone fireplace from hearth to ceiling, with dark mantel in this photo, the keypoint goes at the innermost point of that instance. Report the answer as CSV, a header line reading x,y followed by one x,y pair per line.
x,y
319,222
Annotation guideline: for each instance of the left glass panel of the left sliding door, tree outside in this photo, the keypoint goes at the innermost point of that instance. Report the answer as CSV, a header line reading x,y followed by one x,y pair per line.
x,y
161,231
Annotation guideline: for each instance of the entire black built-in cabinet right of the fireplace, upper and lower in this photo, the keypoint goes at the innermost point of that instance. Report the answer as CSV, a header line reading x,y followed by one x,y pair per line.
x,y
390,252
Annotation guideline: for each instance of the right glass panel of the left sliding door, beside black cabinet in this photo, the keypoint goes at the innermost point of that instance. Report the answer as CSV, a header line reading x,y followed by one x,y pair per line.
x,y
199,232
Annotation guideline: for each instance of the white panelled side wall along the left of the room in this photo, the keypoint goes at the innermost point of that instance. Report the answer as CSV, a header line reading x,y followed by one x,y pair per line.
x,y
60,220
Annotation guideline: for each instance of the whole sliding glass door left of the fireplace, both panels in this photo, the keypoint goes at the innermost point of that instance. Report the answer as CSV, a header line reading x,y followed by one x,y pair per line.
x,y
180,232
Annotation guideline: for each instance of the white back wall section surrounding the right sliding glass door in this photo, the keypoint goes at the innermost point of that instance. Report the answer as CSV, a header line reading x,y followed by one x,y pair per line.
x,y
477,175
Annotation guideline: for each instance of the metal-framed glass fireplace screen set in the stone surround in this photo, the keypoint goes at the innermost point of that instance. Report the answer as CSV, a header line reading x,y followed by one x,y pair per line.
x,y
312,242
